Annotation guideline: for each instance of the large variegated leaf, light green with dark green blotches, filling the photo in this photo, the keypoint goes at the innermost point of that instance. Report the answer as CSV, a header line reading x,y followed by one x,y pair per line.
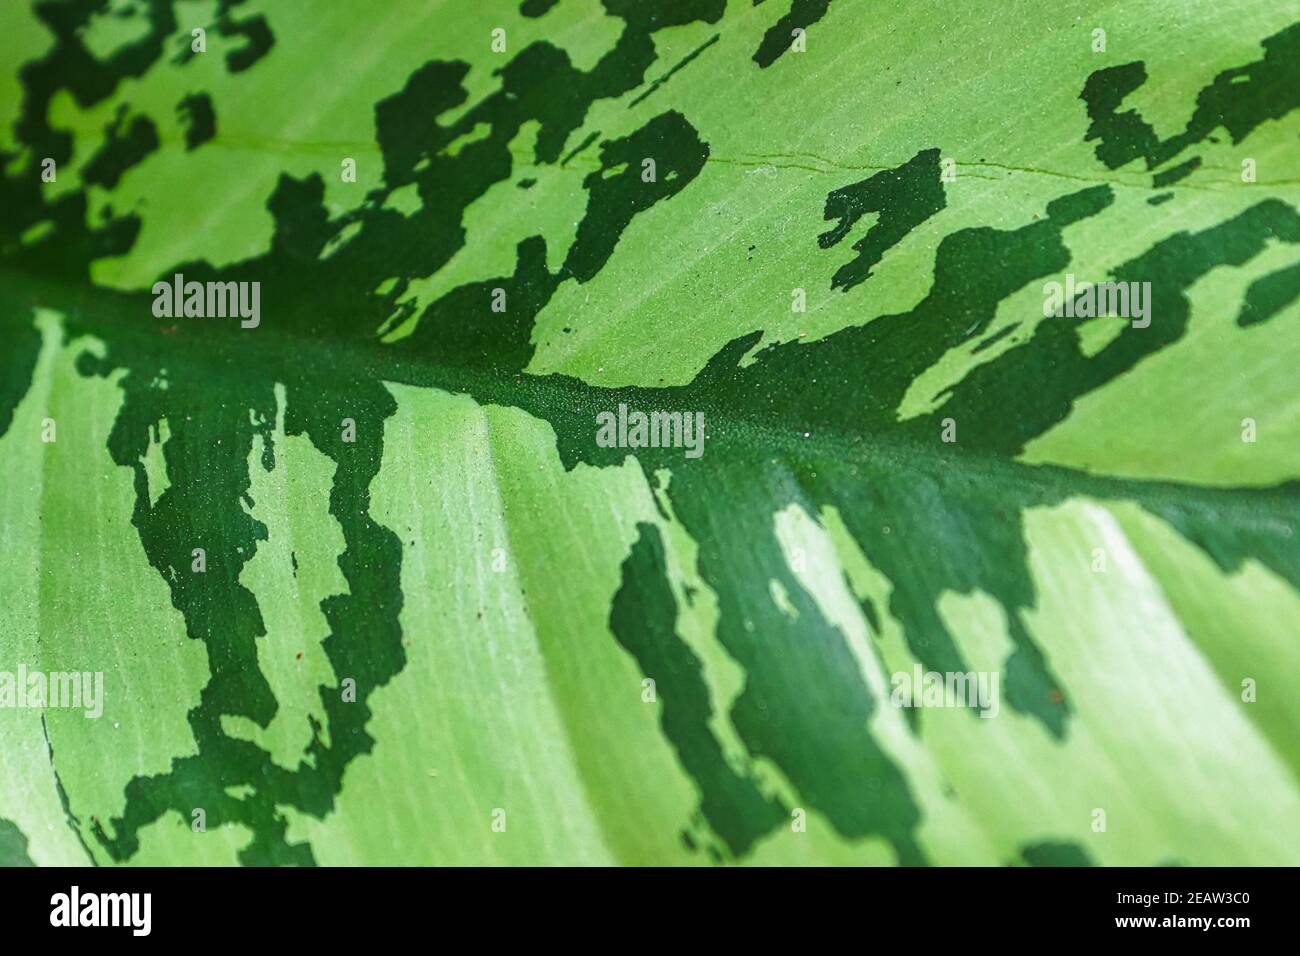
x,y
380,573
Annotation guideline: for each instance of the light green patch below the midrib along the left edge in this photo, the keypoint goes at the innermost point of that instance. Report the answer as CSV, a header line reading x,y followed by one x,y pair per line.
x,y
93,602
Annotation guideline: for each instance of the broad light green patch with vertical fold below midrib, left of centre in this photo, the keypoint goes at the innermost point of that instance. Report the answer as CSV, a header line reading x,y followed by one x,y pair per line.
x,y
473,725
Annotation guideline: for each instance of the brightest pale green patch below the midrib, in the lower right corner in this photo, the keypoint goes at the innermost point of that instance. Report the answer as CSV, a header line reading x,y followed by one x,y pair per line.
x,y
1143,697
